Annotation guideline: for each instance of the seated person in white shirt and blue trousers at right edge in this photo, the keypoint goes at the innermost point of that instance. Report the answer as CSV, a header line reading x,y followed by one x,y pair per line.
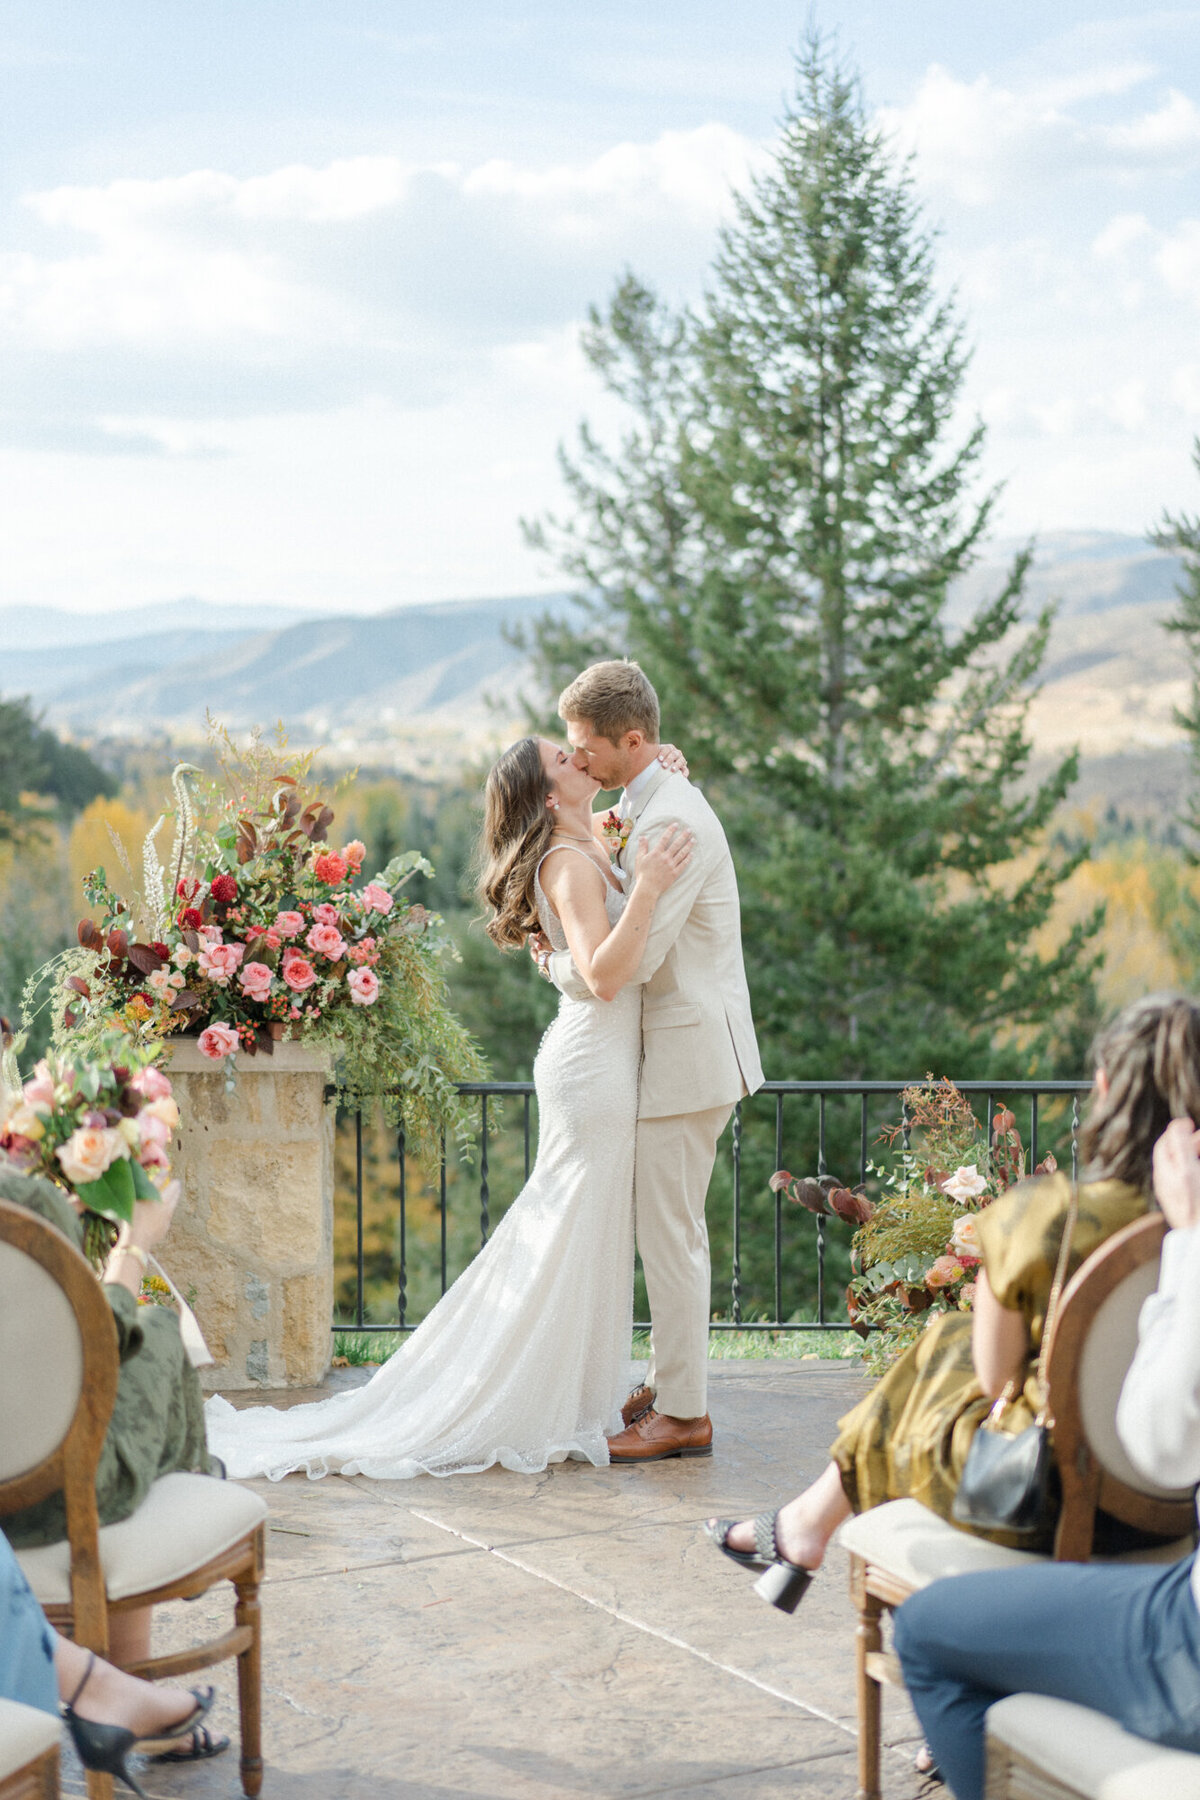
x,y
1124,1641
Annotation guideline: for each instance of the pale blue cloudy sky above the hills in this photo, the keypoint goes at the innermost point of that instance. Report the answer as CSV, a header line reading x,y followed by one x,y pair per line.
x,y
291,292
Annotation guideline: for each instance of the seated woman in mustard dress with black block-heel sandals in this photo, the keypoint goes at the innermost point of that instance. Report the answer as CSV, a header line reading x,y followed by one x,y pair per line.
x,y
909,1437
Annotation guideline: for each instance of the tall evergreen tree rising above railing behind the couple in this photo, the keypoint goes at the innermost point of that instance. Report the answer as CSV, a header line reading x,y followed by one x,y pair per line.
x,y
775,541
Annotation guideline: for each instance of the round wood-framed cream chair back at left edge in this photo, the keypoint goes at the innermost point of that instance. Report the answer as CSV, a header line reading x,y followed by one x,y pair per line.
x,y
58,1349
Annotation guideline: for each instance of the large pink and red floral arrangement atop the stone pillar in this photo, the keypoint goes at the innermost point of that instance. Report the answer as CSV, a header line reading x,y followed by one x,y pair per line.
x,y
258,930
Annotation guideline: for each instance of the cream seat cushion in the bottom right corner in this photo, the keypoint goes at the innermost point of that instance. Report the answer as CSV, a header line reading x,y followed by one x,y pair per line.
x,y
1093,1754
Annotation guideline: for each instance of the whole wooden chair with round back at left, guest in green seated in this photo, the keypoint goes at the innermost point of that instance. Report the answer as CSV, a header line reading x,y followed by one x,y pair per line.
x,y
58,1353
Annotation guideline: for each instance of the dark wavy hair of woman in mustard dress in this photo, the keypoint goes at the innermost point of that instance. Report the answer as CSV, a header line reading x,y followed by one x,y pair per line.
x,y
1151,1056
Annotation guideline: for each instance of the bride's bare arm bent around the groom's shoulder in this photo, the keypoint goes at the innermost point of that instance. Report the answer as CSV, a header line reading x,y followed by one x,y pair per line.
x,y
609,957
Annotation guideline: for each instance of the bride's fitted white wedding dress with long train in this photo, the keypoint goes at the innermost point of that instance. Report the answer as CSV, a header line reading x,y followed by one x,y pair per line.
x,y
526,1360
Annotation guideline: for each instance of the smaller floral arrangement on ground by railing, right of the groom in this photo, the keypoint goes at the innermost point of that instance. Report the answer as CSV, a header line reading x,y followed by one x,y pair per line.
x,y
917,1250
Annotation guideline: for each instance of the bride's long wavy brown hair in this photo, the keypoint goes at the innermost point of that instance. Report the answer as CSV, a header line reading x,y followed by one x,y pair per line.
x,y
517,834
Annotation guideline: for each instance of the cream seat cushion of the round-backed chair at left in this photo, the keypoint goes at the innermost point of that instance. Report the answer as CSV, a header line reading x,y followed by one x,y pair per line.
x,y
184,1522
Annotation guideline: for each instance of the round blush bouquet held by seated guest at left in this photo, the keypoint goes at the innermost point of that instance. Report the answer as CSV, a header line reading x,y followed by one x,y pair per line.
x,y
100,1128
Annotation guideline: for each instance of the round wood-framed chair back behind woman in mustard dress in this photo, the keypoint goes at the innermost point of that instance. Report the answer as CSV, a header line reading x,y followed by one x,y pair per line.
x,y
1091,1349
